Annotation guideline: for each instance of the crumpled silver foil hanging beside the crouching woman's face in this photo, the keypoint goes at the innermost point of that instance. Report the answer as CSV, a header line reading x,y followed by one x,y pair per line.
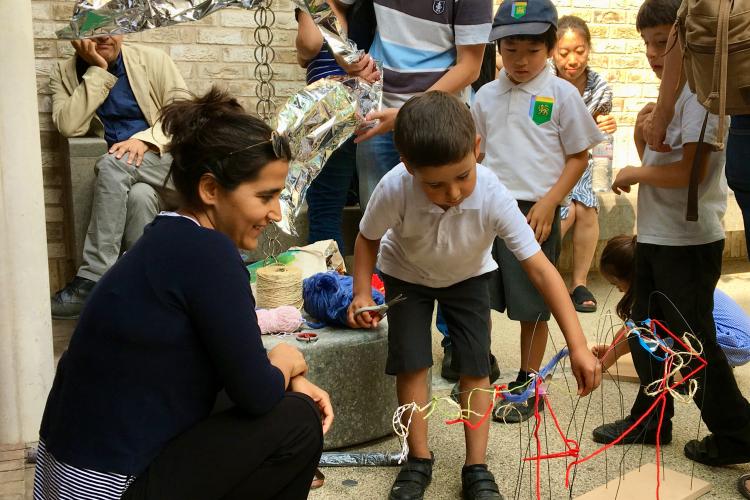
x,y
317,121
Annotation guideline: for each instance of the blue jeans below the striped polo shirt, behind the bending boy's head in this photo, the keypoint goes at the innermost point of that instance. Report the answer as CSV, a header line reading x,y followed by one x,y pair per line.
x,y
375,158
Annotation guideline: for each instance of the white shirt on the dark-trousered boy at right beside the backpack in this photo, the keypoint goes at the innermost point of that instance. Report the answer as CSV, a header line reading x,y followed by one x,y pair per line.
x,y
661,211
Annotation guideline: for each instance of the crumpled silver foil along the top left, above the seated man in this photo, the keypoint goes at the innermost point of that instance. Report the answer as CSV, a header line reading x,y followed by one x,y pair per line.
x,y
117,17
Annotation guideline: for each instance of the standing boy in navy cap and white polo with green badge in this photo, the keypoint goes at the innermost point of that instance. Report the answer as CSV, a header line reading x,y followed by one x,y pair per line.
x,y
536,133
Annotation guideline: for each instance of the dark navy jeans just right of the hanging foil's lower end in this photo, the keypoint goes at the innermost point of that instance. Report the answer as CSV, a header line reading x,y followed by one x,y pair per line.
x,y
326,196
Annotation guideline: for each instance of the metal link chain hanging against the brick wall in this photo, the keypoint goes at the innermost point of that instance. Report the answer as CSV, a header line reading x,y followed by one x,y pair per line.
x,y
264,57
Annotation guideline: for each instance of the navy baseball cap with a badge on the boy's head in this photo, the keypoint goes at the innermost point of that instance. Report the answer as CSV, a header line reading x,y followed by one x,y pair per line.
x,y
528,17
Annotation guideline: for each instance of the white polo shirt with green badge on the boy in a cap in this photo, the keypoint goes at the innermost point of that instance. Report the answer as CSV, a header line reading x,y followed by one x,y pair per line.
x,y
528,129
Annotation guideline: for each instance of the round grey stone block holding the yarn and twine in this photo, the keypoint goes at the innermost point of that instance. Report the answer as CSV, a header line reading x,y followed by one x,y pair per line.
x,y
350,366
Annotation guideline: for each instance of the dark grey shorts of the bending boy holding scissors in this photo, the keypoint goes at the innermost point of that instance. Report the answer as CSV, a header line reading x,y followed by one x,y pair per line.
x,y
466,310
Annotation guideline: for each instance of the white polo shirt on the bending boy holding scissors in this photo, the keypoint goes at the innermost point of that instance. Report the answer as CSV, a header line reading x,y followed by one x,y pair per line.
x,y
423,244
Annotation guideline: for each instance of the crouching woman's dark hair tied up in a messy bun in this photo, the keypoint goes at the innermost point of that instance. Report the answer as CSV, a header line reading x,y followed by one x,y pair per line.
x,y
212,134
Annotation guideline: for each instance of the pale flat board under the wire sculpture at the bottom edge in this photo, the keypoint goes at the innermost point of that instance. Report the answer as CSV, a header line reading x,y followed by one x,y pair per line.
x,y
641,484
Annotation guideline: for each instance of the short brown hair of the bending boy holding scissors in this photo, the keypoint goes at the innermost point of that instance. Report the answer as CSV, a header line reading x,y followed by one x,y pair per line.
x,y
434,129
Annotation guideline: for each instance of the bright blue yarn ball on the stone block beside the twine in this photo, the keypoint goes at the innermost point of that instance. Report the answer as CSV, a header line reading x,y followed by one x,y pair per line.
x,y
327,297
